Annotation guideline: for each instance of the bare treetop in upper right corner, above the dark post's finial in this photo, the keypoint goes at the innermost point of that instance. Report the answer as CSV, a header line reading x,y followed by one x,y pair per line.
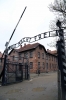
x,y
59,8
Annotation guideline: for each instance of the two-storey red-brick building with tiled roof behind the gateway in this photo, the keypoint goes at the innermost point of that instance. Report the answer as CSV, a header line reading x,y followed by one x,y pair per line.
x,y
38,56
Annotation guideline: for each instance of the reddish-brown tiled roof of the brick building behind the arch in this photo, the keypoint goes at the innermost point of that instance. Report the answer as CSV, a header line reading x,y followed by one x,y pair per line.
x,y
33,46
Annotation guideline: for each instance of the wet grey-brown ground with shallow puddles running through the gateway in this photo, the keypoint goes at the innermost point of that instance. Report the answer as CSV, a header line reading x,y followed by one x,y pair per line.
x,y
42,87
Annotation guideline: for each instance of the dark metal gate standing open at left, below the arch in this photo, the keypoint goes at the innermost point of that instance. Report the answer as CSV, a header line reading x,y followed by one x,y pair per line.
x,y
15,71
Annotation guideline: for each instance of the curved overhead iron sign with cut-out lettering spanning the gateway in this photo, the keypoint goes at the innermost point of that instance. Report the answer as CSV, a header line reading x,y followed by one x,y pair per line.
x,y
35,38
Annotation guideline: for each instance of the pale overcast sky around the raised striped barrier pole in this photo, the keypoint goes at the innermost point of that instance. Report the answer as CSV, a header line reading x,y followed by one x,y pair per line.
x,y
35,20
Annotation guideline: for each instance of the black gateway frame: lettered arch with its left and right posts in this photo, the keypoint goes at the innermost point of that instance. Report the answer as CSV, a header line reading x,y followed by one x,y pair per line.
x,y
61,57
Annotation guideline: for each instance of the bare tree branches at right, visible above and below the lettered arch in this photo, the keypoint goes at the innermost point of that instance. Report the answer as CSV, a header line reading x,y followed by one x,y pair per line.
x,y
59,8
